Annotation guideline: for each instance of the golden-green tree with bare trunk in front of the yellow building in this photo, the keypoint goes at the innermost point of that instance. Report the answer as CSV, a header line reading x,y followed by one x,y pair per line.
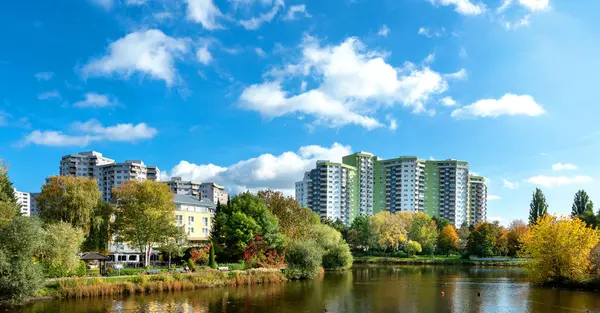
x,y
145,214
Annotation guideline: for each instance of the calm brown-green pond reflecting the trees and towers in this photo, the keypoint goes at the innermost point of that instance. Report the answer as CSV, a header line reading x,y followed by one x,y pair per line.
x,y
362,289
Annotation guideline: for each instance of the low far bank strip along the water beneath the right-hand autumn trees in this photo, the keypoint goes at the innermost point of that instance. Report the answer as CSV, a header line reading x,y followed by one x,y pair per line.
x,y
439,260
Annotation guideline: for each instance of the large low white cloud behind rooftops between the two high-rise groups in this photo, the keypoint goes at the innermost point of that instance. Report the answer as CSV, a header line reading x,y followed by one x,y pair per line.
x,y
279,172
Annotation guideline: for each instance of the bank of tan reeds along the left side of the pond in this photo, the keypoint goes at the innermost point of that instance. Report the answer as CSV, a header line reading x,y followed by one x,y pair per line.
x,y
164,282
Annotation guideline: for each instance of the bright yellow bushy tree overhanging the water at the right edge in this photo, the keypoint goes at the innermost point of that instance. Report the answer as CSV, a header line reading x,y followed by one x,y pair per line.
x,y
560,250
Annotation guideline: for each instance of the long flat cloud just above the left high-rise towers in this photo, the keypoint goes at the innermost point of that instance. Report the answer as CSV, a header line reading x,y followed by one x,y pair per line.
x,y
90,131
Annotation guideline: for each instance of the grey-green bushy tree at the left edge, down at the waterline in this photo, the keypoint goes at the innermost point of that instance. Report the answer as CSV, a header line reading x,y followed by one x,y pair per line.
x,y
20,277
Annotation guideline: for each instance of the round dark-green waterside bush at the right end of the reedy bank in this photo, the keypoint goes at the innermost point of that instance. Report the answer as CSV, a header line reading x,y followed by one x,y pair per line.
x,y
303,259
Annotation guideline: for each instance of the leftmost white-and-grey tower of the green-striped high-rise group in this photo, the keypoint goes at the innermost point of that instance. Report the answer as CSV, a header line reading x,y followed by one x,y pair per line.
x,y
331,190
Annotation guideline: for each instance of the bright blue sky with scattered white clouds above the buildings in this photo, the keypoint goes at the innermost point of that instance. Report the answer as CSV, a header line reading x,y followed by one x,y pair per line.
x,y
250,93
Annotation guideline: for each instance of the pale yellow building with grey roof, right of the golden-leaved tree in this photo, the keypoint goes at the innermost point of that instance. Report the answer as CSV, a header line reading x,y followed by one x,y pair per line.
x,y
195,216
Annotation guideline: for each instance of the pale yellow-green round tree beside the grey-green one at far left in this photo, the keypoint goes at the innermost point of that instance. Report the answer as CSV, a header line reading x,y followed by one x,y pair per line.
x,y
58,254
